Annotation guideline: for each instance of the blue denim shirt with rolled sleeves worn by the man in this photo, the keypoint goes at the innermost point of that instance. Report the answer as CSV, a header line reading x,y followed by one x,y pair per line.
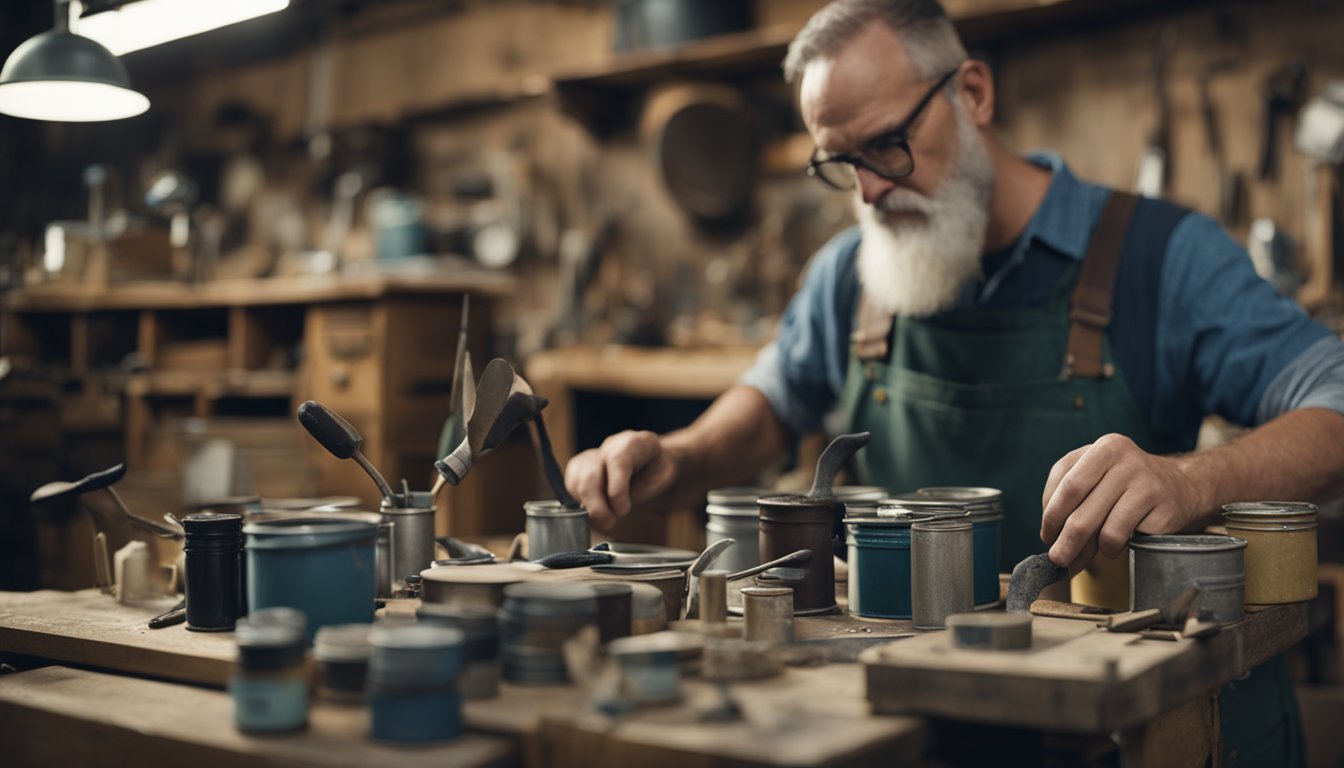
x,y
1225,341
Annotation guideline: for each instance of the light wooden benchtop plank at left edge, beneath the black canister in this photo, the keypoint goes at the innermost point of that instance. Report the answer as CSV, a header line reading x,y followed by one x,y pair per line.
x,y
91,629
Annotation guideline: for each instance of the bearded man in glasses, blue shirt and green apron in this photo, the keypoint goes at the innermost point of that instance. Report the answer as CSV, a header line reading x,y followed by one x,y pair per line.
x,y
994,321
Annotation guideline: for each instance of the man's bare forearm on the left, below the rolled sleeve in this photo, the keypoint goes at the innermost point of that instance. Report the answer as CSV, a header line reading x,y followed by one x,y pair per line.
x,y
730,445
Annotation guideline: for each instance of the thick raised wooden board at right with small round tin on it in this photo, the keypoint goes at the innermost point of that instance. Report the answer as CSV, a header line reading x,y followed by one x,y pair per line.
x,y
1076,677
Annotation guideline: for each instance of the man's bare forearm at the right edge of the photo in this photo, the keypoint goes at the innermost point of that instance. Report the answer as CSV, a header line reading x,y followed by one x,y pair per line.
x,y
1298,457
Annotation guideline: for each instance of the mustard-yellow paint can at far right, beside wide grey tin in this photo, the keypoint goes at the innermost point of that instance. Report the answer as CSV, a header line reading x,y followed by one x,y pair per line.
x,y
1280,549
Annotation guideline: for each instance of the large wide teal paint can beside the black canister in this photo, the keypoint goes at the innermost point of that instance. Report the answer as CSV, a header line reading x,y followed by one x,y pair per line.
x,y
321,566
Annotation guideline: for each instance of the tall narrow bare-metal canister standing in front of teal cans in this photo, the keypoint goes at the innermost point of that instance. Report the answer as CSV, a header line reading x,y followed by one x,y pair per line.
x,y
941,571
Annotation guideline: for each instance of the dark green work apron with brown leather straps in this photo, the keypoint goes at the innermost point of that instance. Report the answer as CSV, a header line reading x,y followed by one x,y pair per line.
x,y
979,399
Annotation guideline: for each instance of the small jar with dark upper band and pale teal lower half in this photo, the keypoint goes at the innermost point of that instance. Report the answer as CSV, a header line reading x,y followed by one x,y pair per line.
x,y
271,677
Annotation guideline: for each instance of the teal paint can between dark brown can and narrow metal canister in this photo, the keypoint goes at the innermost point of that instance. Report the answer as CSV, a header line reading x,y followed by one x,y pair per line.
x,y
880,564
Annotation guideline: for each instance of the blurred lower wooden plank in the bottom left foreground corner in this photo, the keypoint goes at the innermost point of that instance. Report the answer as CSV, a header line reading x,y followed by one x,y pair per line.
x,y
57,716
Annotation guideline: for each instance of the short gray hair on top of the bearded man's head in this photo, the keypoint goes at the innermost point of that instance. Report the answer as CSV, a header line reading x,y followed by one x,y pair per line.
x,y
923,26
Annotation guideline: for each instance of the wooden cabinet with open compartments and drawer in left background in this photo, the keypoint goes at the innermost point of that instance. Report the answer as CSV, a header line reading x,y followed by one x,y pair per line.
x,y
380,350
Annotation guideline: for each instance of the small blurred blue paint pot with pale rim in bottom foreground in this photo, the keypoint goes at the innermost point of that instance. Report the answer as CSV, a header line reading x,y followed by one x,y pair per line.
x,y
413,684
